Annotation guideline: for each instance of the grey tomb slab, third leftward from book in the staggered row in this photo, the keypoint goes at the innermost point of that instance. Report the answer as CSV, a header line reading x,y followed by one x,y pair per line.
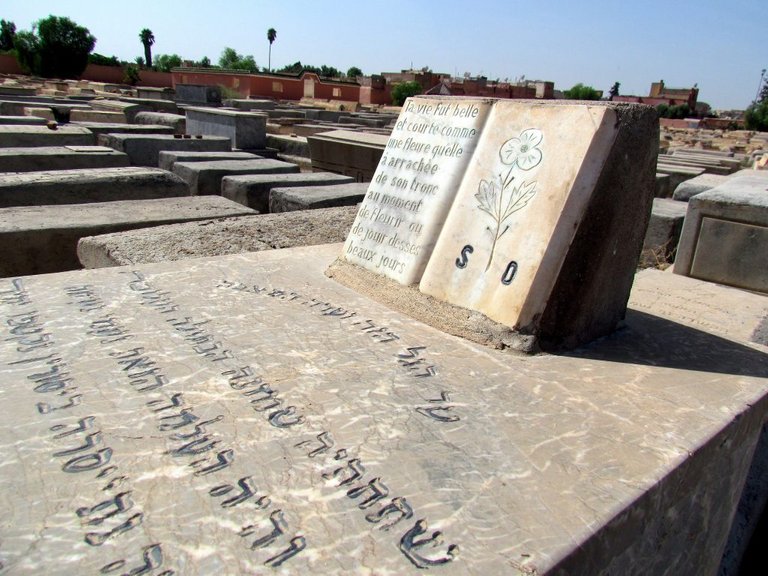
x,y
205,177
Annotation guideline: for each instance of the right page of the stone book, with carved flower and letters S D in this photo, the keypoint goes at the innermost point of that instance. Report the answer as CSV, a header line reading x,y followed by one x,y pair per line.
x,y
518,208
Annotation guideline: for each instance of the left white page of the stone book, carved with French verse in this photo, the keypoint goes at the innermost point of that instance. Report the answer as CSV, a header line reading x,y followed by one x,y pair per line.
x,y
414,186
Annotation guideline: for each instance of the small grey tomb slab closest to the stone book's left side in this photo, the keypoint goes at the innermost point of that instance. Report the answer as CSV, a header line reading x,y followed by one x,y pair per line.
x,y
314,197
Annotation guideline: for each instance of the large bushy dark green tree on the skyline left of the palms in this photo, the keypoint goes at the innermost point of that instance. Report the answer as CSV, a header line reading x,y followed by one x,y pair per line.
x,y
55,48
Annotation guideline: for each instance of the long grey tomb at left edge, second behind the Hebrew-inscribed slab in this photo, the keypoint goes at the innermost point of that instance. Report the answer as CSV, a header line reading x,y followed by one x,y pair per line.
x,y
85,185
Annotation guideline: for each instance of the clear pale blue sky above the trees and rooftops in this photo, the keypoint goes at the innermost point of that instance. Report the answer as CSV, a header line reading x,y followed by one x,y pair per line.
x,y
720,45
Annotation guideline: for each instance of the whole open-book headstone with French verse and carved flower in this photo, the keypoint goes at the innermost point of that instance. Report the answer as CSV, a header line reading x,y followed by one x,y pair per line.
x,y
518,210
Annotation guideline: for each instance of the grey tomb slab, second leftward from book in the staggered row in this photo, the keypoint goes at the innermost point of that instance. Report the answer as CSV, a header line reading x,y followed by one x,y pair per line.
x,y
253,190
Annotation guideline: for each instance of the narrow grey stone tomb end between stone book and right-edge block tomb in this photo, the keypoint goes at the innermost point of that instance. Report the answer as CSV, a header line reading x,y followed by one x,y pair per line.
x,y
663,234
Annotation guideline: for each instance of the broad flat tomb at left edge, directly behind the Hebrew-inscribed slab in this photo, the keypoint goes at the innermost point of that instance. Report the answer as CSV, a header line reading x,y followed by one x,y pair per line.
x,y
43,239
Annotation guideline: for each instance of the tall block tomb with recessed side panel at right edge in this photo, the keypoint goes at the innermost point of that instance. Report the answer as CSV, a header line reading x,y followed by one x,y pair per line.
x,y
725,234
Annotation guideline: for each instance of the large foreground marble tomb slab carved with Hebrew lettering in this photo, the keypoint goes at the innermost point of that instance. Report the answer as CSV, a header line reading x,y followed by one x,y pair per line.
x,y
243,414
